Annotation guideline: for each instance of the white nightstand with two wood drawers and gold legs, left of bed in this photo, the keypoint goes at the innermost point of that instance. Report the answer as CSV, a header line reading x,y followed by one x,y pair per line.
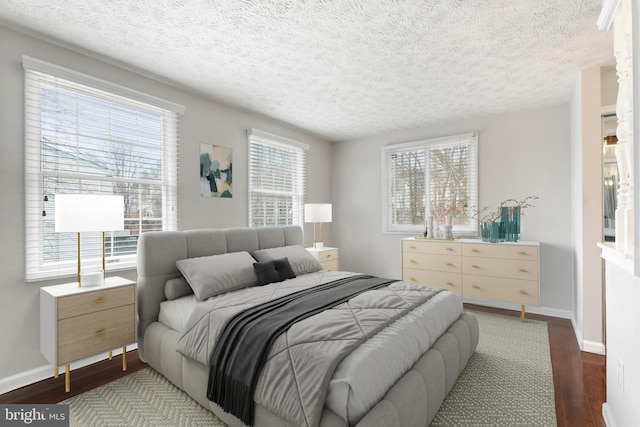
x,y
77,322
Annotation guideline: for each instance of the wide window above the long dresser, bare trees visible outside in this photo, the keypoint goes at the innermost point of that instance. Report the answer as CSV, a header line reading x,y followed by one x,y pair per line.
x,y
431,177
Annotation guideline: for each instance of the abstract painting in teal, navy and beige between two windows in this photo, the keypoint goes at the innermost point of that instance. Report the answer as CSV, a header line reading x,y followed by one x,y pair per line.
x,y
215,171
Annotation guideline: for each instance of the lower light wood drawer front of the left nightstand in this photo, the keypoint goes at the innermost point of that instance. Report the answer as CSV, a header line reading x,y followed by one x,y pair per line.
x,y
86,335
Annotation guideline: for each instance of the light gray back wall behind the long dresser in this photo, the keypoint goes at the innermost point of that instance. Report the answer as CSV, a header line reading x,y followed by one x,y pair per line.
x,y
521,153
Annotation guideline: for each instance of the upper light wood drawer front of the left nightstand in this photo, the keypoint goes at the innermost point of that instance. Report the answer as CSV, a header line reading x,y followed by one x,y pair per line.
x,y
75,305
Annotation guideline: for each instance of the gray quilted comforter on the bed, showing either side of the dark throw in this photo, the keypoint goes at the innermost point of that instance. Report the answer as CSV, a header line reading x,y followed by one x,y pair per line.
x,y
301,362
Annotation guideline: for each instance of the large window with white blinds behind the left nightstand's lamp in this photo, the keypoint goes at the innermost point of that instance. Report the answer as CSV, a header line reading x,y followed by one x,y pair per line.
x,y
85,135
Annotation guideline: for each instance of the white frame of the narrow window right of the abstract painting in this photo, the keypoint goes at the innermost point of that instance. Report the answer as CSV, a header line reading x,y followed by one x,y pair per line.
x,y
298,194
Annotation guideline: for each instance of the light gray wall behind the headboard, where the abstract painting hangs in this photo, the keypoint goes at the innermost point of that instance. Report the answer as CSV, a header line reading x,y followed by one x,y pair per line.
x,y
204,120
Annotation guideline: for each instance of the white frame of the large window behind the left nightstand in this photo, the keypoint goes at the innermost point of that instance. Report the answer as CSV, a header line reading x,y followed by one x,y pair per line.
x,y
40,75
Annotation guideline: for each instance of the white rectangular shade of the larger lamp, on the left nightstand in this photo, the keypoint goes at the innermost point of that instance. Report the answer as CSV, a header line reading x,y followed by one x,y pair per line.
x,y
80,213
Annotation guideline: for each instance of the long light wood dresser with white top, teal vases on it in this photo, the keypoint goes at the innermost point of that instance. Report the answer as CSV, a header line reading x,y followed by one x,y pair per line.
x,y
508,271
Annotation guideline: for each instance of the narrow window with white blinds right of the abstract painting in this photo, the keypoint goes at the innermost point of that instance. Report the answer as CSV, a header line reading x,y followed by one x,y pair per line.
x,y
277,168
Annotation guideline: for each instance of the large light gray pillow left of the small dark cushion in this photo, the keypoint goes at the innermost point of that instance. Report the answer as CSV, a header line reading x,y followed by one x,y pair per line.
x,y
212,275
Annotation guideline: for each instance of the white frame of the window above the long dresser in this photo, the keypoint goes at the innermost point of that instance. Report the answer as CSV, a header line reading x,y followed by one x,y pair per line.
x,y
388,226
